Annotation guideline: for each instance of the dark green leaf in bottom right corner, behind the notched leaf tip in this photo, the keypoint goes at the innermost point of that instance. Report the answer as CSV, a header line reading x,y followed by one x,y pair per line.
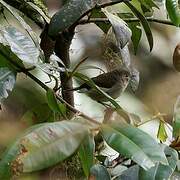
x,y
161,171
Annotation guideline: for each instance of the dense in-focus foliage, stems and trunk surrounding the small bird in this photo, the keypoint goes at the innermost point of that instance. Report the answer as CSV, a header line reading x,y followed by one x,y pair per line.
x,y
74,133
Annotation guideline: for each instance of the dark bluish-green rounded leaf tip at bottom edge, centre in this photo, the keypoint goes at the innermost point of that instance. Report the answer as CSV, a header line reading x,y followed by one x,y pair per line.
x,y
99,172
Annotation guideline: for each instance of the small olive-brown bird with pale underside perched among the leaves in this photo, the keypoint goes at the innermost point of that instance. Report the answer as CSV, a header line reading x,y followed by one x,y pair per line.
x,y
113,83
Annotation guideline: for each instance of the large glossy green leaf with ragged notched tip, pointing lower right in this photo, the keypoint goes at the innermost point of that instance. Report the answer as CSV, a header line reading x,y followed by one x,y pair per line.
x,y
133,143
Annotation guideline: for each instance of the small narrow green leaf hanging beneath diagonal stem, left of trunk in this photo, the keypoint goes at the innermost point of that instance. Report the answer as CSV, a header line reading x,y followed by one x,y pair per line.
x,y
54,104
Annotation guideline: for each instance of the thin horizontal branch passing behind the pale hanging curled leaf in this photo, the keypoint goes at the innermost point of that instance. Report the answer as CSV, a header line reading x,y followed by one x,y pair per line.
x,y
105,20
